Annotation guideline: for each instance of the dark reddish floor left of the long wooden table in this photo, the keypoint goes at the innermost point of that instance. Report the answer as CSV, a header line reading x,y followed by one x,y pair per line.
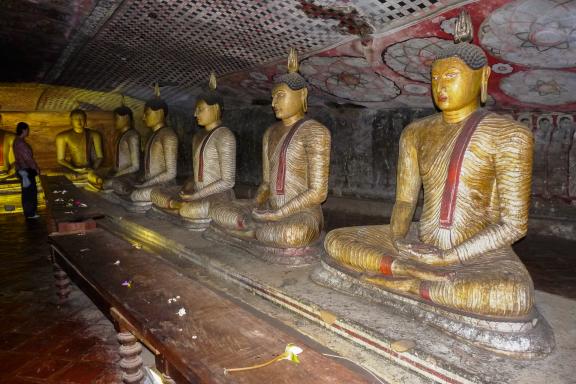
x,y
41,342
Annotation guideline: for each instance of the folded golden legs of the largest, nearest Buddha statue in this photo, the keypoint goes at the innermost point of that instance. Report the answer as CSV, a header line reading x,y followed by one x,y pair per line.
x,y
496,284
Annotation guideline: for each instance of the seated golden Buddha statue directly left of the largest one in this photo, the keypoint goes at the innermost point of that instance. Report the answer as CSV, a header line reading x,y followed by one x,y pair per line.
x,y
286,215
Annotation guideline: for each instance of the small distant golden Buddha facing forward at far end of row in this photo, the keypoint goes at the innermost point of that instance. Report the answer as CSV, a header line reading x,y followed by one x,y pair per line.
x,y
80,150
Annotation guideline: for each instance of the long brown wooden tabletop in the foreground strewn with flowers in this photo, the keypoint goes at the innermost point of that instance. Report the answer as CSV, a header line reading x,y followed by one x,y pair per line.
x,y
215,333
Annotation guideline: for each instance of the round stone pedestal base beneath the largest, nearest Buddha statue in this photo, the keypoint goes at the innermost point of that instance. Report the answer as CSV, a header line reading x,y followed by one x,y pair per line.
x,y
527,337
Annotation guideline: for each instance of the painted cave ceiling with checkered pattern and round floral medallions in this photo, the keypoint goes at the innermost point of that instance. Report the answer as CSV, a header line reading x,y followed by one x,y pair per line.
x,y
374,53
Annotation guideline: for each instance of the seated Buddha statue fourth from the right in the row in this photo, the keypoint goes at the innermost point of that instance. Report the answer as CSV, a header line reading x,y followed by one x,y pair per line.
x,y
160,153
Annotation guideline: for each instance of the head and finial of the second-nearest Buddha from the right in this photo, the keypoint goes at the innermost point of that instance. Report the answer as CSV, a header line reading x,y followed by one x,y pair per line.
x,y
290,94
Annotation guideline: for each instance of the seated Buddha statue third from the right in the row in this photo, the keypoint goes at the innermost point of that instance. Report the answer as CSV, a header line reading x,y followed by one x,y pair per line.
x,y
214,163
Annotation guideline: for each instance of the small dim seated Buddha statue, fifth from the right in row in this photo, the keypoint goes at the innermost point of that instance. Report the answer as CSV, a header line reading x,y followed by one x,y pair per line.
x,y
126,153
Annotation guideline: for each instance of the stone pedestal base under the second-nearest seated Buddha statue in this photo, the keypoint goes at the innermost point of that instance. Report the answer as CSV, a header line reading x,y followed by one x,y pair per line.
x,y
285,256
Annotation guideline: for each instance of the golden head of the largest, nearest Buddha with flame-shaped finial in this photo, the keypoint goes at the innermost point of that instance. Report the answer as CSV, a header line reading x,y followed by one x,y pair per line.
x,y
460,73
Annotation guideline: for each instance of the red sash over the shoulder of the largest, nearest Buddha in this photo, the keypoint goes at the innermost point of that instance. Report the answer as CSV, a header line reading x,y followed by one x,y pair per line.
x,y
454,169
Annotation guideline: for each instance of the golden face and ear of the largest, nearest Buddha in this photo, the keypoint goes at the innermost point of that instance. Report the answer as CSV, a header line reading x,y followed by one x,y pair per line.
x,y
455,85
